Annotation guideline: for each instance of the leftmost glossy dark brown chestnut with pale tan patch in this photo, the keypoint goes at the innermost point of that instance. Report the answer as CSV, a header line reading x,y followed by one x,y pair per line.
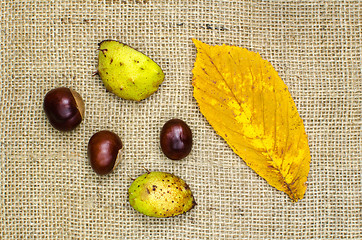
x,y
64,108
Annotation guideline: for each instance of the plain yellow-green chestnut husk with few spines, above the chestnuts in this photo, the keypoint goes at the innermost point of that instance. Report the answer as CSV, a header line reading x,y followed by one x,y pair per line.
x,y
127,72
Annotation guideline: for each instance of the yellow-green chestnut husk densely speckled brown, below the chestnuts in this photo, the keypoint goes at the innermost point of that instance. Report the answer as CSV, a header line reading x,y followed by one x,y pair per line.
x,y
159,194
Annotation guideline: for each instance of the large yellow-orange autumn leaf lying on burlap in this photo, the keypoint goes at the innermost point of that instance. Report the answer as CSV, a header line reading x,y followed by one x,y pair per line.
x,y
243,98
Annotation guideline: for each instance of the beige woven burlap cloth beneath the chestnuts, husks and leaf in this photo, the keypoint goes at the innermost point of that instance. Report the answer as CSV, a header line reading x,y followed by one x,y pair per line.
x,y
48,189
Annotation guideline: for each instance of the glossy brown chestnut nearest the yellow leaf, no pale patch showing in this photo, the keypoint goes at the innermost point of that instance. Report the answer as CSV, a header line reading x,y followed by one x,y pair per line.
x,y
176,139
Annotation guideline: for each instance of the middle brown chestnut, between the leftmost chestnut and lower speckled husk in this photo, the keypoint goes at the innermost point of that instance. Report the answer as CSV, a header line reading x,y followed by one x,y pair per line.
x,y
104,150
